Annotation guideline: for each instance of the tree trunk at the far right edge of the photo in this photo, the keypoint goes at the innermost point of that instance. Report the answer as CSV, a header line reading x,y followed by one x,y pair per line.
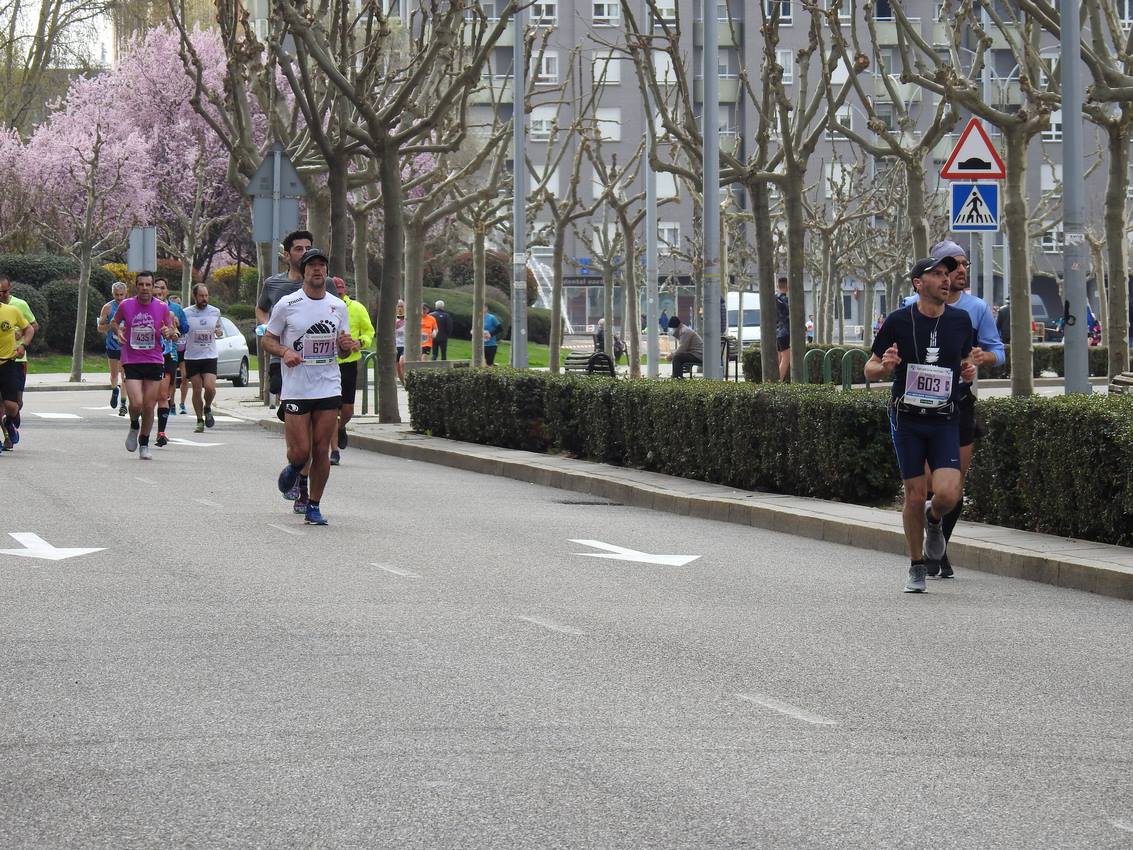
x,y
1118,329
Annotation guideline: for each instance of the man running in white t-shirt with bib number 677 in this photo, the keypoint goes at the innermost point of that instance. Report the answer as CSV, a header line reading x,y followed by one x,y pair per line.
x,y
309,331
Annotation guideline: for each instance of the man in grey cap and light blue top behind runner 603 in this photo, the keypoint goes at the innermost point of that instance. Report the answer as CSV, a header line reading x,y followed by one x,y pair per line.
x,y
987,351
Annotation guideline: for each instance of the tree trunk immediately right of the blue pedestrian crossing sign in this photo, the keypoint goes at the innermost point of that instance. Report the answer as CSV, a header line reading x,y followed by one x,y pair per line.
x,y
1023,380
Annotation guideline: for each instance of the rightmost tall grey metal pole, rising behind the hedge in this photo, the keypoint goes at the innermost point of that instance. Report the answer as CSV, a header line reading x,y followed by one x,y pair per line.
x,y
1076,254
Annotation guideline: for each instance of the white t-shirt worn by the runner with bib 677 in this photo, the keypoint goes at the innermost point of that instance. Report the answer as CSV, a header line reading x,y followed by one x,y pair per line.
x,y
312,328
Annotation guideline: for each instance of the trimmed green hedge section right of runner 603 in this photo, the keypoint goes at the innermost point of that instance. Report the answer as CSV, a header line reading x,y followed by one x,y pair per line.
x,y
1061,465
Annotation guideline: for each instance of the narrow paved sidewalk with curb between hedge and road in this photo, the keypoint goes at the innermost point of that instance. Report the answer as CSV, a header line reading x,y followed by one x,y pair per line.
x,y
1077,565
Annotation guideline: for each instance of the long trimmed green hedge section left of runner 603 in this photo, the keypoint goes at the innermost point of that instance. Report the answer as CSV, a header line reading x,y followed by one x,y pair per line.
x,y
810,441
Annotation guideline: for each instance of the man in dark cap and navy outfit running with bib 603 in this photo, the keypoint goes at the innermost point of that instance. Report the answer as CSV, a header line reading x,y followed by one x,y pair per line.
x,y
925,347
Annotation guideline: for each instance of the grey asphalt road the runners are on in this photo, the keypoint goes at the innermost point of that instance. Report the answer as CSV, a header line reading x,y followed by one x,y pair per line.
x,y
444,668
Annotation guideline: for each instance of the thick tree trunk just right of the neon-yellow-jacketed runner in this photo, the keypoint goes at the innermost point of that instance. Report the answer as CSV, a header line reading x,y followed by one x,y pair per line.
x,y
390,292
